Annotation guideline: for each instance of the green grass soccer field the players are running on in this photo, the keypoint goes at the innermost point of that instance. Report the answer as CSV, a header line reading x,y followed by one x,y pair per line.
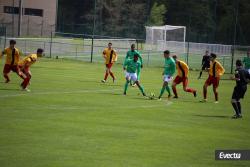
x,y
71,119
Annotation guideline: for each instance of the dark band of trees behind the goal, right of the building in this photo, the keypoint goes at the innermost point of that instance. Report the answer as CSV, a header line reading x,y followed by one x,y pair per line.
x,y
211,21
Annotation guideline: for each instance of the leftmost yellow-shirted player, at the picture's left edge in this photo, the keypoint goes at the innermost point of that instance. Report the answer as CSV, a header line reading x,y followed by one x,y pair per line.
x,y
11,61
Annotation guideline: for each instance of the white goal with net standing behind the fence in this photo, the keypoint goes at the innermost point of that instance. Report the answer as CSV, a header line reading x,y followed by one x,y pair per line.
x,y
165,37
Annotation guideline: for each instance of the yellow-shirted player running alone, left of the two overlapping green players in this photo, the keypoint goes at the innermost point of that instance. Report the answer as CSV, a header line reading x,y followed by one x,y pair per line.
x,y
110,56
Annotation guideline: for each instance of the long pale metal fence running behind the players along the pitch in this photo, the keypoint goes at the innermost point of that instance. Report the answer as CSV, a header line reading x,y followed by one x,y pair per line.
x,y
89,48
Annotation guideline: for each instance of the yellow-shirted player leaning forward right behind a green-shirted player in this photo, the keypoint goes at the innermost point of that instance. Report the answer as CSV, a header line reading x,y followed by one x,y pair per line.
x,y
182,76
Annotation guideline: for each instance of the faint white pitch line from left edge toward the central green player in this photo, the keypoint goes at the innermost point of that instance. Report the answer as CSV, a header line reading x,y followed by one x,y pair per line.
x,y
59,92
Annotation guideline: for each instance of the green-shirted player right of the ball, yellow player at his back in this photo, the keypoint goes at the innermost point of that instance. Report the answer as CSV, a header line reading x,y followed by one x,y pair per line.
x,y
169,70
